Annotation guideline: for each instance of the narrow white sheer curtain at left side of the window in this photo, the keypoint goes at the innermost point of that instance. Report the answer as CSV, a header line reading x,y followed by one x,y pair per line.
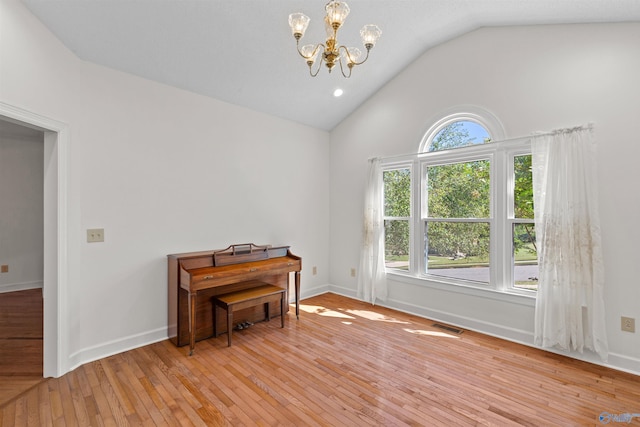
x,y
372,281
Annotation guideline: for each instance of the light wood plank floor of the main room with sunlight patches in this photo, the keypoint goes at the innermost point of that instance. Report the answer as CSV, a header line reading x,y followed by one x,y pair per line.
x,y
344,363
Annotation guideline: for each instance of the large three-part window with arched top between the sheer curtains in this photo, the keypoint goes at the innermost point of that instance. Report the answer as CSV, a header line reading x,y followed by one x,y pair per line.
x,y
461,213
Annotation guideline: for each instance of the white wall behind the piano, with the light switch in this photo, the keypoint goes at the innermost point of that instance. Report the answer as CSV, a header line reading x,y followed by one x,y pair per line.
x,y
162,171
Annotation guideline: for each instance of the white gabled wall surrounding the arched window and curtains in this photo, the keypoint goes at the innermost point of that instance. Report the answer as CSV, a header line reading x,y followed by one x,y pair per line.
x,y
533,79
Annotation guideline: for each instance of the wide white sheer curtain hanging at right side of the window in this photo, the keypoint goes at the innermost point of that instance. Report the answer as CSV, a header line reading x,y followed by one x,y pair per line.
x,y
569,311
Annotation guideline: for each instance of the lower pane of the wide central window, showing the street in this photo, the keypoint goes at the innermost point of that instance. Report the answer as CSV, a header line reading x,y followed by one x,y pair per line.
x,y
458,250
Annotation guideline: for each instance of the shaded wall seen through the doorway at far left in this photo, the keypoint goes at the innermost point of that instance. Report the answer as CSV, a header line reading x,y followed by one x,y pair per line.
x,y
21,201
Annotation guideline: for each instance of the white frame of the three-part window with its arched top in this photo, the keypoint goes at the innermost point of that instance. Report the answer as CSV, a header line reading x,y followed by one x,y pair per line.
x,y
500,154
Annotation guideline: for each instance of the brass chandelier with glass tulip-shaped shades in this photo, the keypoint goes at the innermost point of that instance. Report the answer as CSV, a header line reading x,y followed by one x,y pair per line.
x,y
332,53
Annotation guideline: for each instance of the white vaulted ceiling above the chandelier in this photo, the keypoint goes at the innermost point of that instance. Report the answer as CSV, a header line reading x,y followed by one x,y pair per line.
x,y
242,51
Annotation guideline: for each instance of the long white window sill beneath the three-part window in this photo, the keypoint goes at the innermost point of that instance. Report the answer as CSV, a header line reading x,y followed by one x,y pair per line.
x,y
510,297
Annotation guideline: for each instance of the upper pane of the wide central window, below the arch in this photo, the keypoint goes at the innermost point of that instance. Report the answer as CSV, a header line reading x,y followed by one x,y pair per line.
x,y
459,190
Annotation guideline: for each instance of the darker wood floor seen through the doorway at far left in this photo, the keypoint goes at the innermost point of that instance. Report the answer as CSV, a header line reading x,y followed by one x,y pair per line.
x,y
20,342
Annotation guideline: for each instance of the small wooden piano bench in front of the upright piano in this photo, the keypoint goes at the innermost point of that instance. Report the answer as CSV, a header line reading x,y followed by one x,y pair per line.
x,y
234,301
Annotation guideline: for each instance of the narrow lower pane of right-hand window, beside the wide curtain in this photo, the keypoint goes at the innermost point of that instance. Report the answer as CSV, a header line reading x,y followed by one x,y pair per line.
x,y
525,257
